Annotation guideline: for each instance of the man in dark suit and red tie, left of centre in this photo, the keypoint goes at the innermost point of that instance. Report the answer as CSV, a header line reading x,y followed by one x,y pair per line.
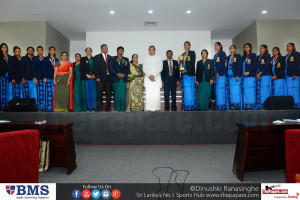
x,y
104,84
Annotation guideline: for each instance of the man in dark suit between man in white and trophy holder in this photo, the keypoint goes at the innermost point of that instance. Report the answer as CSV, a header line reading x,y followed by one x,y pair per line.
x,y
170,77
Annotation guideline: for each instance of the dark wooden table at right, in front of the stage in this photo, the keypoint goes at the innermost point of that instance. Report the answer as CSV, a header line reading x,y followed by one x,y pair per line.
x,y
259,147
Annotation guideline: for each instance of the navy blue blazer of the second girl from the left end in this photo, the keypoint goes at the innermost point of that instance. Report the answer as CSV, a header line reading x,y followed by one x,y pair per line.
x,y
14,69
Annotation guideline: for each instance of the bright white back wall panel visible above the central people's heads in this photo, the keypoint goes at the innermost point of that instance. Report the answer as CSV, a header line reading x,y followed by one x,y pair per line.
x,y
139,42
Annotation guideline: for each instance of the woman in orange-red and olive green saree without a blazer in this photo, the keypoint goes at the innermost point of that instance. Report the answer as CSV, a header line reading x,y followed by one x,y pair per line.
x,y
63,81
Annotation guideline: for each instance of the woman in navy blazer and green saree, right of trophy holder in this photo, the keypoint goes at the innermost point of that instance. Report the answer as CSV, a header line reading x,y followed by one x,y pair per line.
x,y
204,81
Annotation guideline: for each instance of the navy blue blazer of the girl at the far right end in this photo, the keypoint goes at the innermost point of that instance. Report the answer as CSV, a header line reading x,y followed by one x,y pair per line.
x,y
293,64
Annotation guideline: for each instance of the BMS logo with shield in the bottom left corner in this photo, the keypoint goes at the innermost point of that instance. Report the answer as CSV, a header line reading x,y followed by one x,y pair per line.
x,y
27,189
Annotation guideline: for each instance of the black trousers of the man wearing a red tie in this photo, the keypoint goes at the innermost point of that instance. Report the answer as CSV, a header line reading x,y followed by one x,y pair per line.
x,y
102,87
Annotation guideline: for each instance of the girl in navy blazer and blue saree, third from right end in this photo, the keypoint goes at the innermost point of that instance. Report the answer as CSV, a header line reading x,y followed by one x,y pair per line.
x,y
264,83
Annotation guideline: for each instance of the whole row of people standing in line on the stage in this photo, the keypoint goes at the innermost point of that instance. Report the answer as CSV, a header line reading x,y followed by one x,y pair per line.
x,y
234,82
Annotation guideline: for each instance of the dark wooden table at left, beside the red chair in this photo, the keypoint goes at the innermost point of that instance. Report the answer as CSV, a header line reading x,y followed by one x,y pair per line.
x,y
60,135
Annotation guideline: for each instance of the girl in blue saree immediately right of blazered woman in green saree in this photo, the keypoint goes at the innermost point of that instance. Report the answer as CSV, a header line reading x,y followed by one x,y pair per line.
x,y
220,74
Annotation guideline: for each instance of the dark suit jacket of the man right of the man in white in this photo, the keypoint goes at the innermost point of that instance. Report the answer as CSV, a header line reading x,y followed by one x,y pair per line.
x,y
165,73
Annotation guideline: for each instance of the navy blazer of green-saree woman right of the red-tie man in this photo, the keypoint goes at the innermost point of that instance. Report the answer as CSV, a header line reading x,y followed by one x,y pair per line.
x,y
115,68
